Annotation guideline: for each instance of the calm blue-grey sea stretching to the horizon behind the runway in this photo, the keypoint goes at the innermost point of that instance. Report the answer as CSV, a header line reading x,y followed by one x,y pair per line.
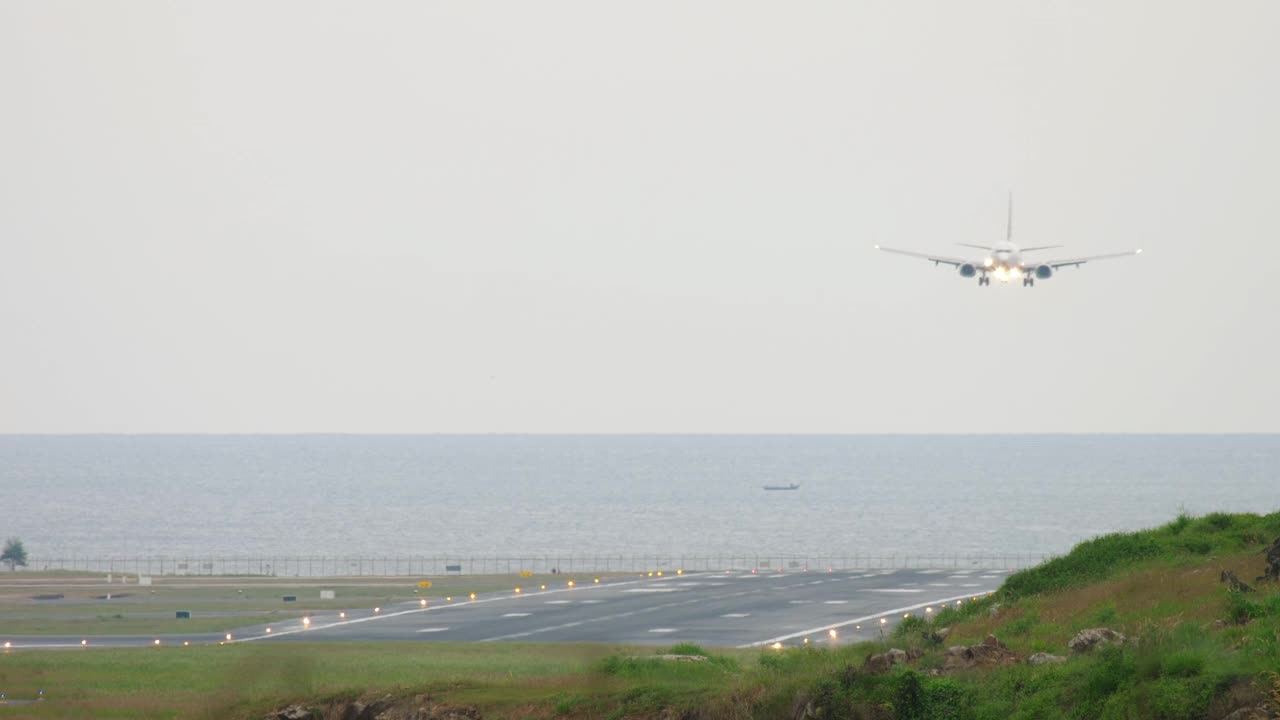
x,y
130,496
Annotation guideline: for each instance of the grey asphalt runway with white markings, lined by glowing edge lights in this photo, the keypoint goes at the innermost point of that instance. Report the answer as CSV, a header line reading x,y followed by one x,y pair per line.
x,y
711,609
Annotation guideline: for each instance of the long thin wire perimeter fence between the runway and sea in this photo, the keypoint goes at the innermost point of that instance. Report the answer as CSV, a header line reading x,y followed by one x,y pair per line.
x,y
406,566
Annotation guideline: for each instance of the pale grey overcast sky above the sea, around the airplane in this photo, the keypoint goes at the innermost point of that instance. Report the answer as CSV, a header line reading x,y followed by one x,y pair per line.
x,y
643,217
